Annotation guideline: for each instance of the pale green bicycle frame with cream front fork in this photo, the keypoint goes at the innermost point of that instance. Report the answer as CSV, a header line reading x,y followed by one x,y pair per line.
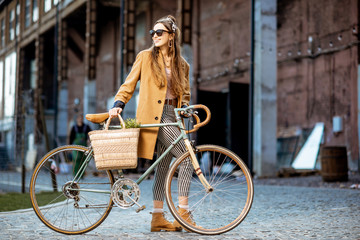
x,y
182,135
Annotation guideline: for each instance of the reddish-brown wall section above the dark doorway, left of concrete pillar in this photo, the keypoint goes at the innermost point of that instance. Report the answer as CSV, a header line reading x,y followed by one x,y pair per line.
x,y
224,43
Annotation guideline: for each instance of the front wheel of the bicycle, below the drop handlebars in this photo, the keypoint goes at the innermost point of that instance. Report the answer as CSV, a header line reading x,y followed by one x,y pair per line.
x,y
210,212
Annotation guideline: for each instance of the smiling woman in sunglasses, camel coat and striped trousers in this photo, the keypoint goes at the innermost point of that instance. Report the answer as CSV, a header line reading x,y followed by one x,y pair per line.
x,y
164,85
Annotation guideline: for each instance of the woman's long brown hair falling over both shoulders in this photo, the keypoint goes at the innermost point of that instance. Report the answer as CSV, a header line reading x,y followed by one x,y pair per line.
x,y
177,61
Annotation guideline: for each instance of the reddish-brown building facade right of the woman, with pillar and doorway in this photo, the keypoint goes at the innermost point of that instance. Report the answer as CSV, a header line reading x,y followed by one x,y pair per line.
x,y
316,54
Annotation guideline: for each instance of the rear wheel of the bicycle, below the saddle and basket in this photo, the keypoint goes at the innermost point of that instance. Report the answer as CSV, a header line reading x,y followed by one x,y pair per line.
x,y
65,205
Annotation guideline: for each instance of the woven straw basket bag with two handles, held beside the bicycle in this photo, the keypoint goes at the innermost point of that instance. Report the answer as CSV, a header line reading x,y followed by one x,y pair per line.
x,y
115,149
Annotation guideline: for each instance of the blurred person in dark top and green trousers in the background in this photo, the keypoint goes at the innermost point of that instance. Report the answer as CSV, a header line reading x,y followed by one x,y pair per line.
x,y
79,136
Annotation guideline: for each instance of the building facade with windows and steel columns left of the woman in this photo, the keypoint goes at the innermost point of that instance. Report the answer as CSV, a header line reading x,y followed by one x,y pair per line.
x,y
63,57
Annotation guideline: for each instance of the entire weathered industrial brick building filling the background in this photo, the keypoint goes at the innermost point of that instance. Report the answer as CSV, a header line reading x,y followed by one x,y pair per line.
x,y
60,57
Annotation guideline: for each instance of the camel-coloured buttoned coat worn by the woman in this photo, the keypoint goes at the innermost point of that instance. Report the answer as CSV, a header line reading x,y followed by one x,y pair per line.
x,y
151,98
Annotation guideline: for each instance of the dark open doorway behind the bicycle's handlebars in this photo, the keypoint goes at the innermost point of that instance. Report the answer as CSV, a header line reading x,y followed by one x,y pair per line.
x,y
229,119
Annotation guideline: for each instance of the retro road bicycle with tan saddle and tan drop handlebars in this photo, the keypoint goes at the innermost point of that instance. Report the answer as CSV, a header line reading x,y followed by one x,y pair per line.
x,y
220,195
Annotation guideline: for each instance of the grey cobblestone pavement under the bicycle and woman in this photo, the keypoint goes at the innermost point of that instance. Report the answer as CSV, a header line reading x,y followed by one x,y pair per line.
x,y
278,212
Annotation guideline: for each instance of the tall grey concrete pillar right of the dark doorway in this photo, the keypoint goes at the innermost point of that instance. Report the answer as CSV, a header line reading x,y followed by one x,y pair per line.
x,y
265,90
